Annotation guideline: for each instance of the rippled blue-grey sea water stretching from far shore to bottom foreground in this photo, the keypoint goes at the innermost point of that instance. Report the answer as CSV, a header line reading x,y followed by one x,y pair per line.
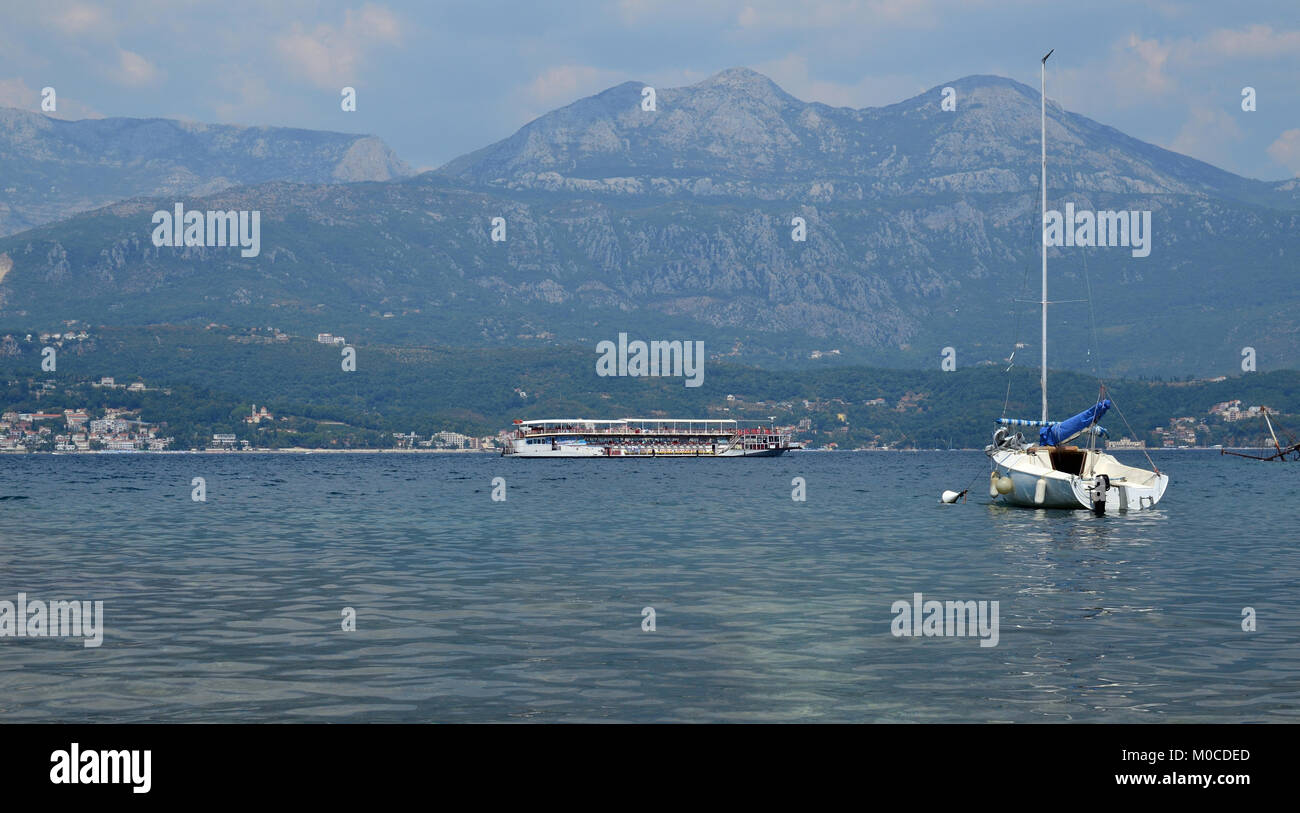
x,y
531,609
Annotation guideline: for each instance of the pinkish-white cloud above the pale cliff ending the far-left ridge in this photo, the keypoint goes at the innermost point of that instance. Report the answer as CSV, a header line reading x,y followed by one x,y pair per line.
x,y
333,57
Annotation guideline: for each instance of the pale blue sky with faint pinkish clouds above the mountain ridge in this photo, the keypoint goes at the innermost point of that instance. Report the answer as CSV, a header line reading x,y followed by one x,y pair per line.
x,y
439,80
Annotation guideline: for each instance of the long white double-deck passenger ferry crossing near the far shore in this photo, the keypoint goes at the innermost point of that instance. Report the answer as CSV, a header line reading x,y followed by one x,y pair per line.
x,y
645,438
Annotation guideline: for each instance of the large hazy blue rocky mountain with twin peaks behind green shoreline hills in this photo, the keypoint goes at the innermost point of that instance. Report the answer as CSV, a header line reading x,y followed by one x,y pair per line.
x,y
922,233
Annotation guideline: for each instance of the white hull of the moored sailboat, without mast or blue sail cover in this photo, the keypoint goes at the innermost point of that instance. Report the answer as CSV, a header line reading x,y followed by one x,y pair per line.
x,y
1038,486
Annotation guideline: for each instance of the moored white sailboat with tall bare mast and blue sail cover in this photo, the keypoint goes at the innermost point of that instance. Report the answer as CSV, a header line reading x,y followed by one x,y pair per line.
x,y
1051,473
